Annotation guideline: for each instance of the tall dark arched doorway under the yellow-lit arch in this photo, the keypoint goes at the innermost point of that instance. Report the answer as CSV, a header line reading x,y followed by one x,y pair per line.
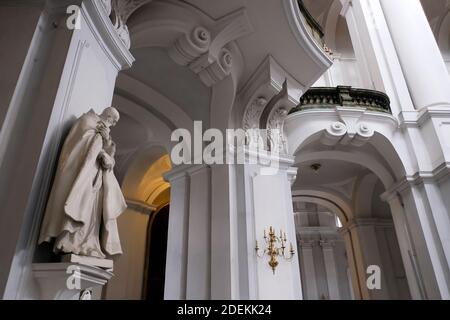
x,y
155,266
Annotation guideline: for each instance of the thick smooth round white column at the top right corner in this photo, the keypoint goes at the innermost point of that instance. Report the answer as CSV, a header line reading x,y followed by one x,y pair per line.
x,y
418,52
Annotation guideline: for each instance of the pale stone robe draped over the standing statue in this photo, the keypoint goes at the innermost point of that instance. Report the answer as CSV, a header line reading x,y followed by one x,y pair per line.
x,y
85,200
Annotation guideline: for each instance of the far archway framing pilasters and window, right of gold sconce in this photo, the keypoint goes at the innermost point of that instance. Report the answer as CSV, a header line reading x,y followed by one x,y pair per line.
x,y
326,257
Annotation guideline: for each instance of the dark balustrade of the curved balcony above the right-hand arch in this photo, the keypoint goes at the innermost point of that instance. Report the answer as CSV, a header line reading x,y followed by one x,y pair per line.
x,y
327,98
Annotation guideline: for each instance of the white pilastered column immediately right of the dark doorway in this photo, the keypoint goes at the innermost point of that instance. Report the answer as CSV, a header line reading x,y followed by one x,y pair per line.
x,y
188,264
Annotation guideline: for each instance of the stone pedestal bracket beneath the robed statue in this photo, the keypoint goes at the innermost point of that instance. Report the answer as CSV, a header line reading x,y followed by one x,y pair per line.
x,y
69,281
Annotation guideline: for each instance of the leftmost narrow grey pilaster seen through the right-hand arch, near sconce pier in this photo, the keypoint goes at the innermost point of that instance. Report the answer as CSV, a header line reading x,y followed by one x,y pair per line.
x,y
309,271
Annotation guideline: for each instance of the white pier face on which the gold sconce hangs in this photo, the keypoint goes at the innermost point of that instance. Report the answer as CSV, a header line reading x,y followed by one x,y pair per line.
x,y
268,202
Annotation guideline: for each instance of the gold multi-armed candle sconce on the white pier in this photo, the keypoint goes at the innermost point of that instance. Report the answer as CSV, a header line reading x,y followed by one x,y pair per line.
x,y
275,247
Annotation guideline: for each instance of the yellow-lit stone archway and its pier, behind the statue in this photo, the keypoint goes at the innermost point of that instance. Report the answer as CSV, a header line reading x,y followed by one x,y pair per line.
x,y
147,194
